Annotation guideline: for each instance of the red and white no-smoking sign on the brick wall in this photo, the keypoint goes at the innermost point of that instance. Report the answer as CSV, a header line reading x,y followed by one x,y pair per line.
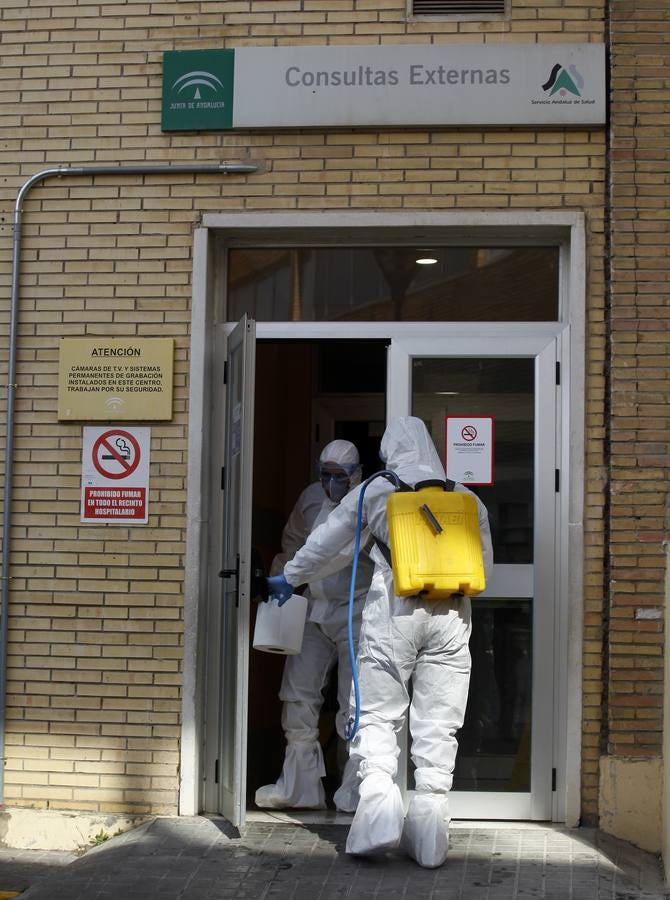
x,y
115,475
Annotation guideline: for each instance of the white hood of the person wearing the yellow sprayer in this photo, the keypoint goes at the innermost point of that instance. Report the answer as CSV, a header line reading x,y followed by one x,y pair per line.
x,y
408,450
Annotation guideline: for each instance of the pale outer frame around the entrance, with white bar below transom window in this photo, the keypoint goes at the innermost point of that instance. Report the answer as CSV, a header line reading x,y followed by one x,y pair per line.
x,y
565,229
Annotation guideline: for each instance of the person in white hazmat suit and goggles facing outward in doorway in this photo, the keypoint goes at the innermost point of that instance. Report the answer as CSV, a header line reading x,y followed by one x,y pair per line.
x,y
325,643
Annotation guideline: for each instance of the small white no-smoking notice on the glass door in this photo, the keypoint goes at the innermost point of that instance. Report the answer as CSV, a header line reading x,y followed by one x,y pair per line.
x,y
469,449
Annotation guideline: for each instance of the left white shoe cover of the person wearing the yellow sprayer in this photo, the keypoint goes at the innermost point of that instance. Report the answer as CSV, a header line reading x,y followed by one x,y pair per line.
x,y
377,825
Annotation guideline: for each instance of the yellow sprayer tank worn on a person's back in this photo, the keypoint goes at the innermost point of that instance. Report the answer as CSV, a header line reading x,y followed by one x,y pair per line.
x,y
435,547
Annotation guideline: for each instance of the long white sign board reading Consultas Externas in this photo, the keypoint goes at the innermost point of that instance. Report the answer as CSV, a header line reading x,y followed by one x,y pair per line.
x,y
440,84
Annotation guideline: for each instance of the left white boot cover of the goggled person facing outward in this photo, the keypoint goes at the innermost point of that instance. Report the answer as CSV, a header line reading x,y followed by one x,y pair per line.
x,y
299,786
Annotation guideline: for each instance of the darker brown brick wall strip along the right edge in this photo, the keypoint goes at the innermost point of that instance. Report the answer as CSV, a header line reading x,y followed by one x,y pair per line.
x,y
639,390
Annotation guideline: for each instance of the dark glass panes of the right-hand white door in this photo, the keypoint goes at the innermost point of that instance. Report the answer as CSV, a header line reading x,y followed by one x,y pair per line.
x,y
494,743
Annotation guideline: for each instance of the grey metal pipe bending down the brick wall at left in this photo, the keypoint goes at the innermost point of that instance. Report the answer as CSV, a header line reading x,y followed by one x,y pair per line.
x,y
59,171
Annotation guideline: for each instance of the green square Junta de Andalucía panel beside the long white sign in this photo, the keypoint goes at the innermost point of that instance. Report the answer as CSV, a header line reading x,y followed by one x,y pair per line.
x,y
198,90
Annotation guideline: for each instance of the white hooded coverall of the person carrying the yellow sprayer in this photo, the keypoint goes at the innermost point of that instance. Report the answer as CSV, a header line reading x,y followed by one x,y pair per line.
x,y
401,638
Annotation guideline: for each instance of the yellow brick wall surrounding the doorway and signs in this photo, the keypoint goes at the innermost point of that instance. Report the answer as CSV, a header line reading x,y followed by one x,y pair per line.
x,y
96,612
